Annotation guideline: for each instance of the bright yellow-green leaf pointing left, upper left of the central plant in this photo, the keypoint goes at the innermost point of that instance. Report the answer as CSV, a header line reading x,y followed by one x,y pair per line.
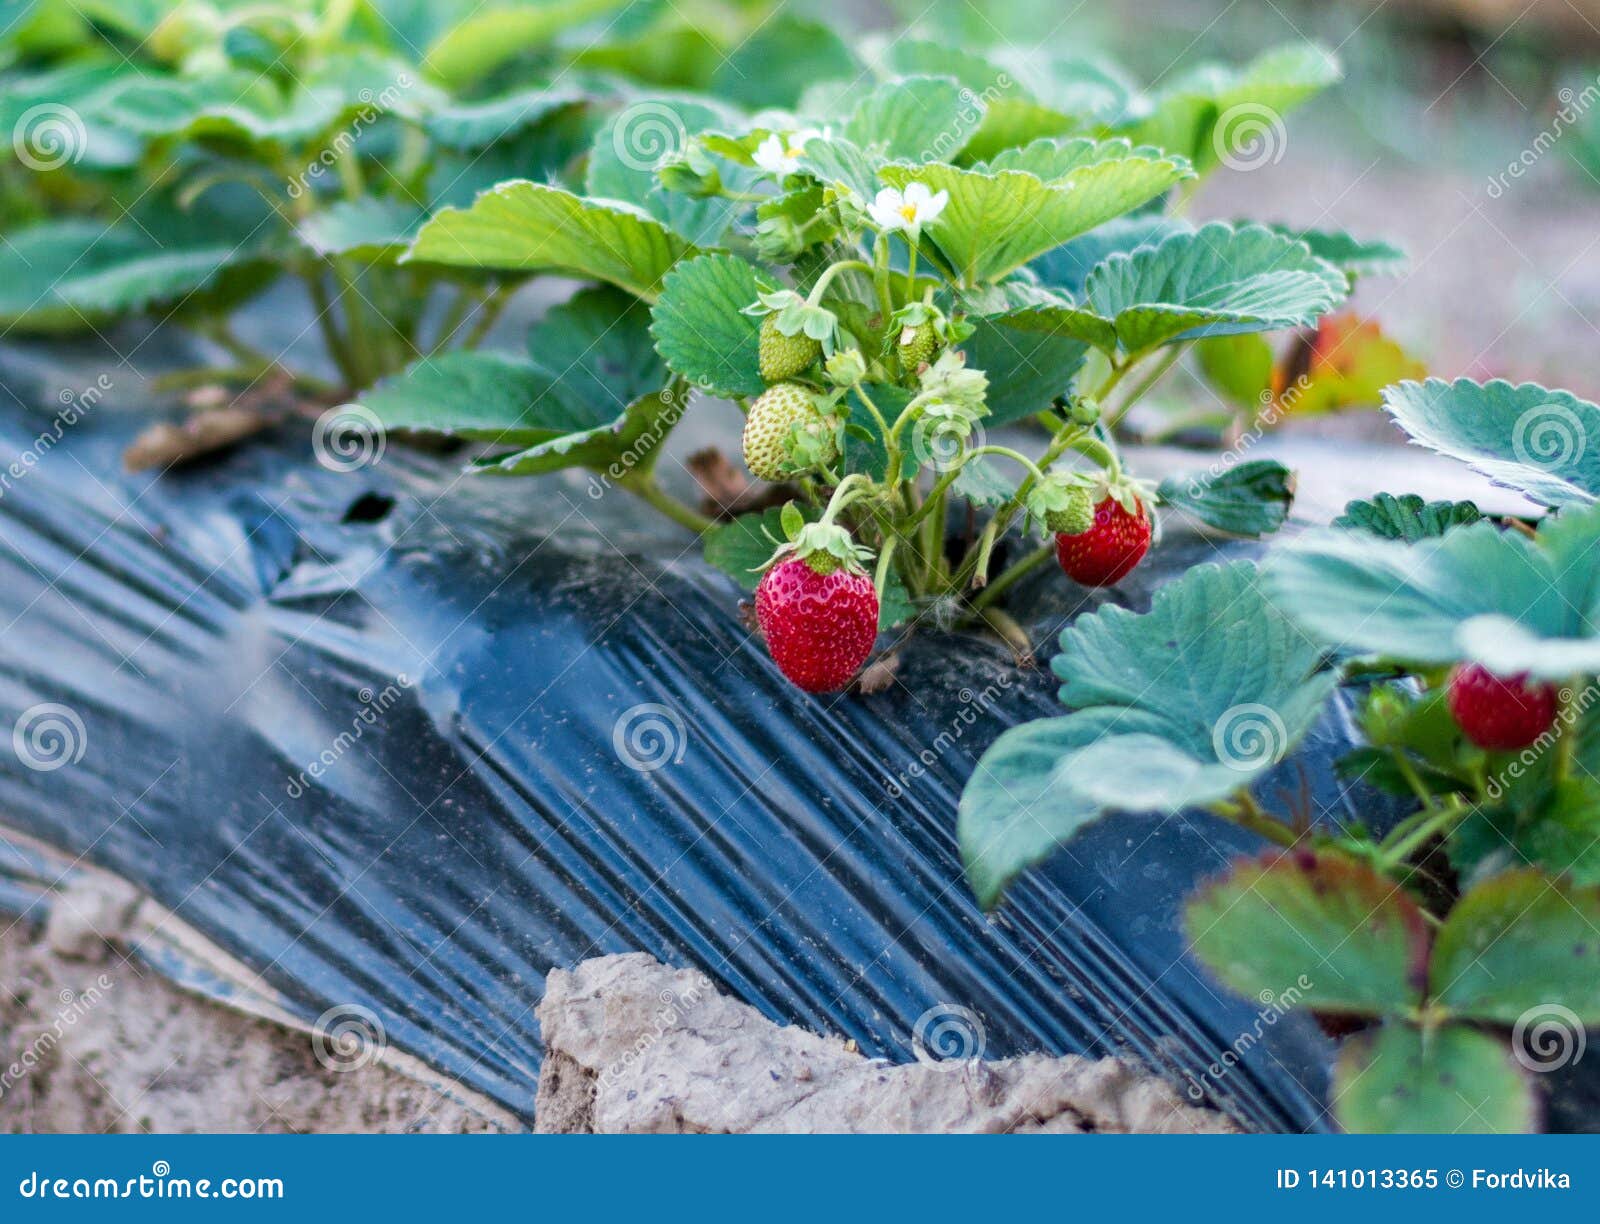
x,y
526,226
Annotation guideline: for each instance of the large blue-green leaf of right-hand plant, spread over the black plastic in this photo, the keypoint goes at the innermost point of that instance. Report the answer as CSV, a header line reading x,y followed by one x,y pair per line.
x,y
1185,705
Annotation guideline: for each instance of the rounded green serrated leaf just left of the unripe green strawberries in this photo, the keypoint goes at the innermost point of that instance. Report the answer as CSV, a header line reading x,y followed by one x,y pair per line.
x,y
700,326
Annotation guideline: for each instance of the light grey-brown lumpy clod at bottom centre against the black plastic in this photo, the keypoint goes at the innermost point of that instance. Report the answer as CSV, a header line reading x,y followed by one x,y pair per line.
x,y
636,1046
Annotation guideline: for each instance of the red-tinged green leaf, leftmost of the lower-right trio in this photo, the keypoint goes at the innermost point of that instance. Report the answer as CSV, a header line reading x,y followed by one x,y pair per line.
x,y
1348,940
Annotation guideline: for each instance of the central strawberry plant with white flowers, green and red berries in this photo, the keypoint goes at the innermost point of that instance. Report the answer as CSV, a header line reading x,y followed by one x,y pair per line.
x,y
882,266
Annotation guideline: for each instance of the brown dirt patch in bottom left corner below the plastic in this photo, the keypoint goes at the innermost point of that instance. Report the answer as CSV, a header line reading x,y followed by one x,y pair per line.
x,y
92,1042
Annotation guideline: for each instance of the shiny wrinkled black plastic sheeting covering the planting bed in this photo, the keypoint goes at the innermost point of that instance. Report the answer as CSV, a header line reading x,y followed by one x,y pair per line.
x,y
543,735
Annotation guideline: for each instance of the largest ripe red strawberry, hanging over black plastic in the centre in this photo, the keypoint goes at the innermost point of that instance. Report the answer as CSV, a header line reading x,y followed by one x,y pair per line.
x,y
820,626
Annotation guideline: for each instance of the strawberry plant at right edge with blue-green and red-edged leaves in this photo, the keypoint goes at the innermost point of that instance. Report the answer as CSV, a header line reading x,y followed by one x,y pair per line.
x,y
1454,946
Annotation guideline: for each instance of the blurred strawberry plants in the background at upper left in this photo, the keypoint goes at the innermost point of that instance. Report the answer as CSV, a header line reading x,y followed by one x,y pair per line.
x,y
178,159
